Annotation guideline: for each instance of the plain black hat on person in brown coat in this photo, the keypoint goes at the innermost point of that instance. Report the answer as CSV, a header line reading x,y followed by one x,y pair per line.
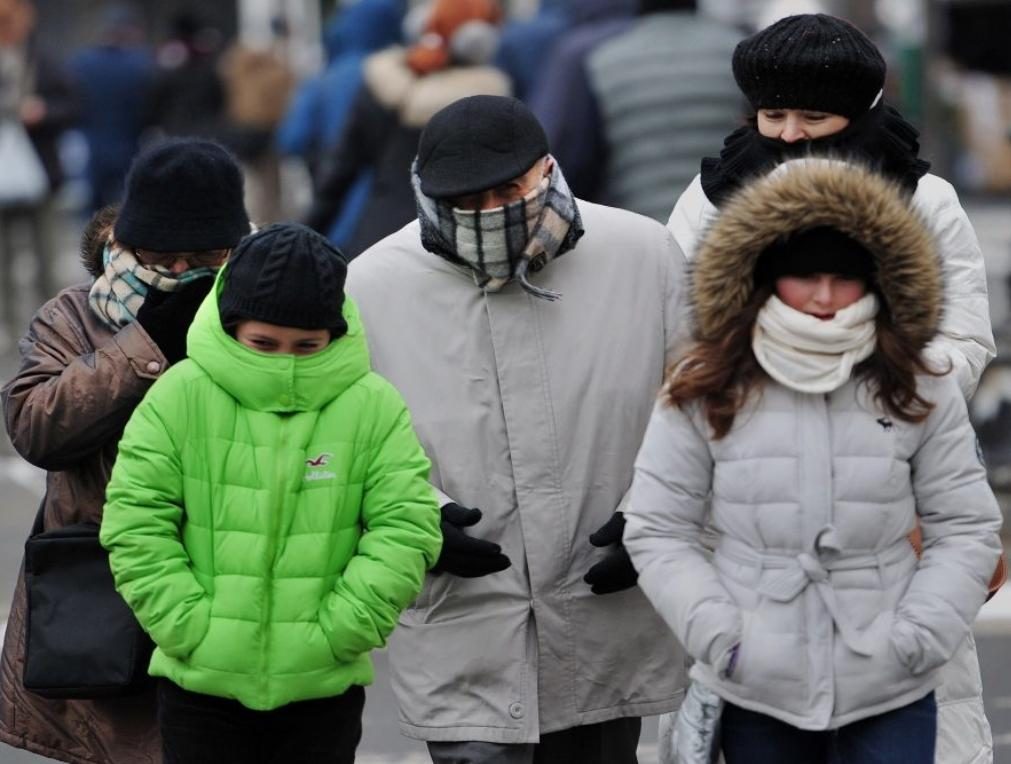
x,y
183,196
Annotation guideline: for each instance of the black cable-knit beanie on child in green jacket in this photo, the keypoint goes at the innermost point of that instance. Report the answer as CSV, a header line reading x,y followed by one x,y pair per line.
x,y
289,275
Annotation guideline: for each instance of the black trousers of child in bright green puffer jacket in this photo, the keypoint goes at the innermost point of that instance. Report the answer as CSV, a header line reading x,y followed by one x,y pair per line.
x,y
200,729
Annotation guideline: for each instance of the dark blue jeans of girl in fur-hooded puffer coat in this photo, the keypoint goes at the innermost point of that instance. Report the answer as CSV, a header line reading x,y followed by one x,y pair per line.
x,y
903,736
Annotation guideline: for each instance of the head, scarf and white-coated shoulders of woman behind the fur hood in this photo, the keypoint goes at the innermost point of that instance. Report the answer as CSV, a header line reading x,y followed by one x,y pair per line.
x,y
816,83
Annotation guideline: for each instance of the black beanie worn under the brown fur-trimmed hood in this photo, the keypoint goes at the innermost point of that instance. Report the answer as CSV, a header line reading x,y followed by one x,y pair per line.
x,y
820,250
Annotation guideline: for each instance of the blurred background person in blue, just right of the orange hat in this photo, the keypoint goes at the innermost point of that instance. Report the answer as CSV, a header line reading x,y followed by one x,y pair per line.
x,y
527,43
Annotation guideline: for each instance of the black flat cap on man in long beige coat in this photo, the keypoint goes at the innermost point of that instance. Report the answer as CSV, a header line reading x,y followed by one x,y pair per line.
x,y
477,144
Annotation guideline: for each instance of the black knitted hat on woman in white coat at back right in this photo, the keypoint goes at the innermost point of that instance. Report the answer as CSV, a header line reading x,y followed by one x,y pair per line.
x,y
810,62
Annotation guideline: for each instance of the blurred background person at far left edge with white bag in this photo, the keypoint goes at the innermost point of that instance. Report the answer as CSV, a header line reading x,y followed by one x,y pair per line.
x,y
36,91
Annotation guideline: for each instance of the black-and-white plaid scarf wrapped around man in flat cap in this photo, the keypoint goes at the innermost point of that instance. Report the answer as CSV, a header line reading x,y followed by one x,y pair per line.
x,y
507,243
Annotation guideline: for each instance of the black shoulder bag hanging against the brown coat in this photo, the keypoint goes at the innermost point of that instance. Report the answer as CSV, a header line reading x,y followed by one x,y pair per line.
x,y
82,640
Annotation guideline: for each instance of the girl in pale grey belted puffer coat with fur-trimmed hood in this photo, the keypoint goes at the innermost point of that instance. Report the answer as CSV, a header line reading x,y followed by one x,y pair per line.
x,y
808,419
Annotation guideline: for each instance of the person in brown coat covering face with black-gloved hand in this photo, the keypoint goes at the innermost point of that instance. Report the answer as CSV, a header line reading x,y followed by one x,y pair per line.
x,y
89,356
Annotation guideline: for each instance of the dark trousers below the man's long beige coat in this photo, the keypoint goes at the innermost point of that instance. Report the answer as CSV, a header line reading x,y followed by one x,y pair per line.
x,y
607,743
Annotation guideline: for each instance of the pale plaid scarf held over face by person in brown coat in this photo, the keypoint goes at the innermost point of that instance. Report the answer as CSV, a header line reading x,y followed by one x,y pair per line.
x,y
119,294
